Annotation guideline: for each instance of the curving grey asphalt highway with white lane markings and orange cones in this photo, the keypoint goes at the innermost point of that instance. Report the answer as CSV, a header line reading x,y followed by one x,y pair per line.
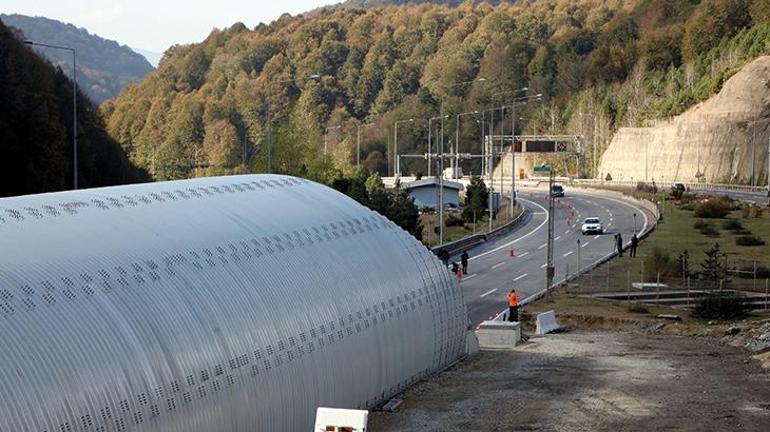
x,y
492,272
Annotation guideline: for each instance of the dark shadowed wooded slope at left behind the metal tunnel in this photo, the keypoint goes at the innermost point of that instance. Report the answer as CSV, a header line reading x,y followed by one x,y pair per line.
x,y
36,128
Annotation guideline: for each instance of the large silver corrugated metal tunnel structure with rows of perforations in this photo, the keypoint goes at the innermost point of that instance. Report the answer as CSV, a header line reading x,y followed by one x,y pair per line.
x,y
221,304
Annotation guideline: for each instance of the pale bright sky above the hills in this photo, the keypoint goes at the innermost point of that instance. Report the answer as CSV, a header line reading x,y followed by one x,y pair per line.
x,y
155,25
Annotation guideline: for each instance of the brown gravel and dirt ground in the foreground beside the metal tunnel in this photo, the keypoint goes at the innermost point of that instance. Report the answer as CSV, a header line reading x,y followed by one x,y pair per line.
x,y
596,380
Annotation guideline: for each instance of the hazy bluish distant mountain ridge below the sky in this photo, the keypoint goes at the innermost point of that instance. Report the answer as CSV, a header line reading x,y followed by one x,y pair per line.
x,y
104,66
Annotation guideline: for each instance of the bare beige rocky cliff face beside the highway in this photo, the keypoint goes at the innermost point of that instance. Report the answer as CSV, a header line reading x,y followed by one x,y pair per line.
x,y
723,139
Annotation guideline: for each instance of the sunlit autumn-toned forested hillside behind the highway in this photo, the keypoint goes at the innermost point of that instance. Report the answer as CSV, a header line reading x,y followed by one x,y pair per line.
x,y
600,65
